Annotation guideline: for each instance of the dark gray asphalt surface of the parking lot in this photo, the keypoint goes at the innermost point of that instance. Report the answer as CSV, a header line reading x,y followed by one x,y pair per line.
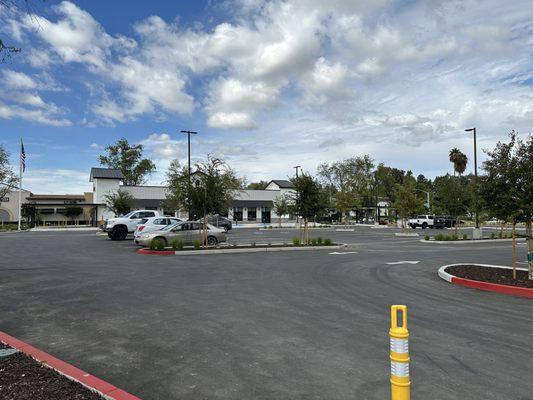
x,y
287,325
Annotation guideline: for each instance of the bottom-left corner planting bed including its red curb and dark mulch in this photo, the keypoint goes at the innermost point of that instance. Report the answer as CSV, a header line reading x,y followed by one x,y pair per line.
x,y
29,373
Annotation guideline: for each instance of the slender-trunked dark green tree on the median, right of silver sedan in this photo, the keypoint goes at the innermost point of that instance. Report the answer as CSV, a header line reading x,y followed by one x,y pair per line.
x,y
308,200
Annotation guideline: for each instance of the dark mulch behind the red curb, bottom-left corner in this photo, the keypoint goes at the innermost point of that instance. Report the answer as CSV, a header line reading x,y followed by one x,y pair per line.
x,y
23,378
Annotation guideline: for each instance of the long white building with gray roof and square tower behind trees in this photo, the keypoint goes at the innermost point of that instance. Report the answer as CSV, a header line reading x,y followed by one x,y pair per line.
x,y
248,206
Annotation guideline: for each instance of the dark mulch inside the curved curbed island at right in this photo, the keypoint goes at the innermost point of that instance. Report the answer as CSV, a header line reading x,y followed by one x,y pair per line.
x,y
499,276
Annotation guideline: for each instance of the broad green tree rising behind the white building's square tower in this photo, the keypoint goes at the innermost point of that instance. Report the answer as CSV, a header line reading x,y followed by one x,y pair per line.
x,y
129,160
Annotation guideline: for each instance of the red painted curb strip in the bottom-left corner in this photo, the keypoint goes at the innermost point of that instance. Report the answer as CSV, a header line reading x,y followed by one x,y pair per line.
x,y
104,388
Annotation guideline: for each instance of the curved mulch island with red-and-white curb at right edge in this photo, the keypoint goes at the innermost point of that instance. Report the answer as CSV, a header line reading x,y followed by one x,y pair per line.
x,y
493,278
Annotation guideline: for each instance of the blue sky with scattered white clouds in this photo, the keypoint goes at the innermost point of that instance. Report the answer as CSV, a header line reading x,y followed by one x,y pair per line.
x,y
267,84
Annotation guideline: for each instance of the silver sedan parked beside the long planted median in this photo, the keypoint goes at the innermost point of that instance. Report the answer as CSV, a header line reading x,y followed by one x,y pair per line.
x,y
188,232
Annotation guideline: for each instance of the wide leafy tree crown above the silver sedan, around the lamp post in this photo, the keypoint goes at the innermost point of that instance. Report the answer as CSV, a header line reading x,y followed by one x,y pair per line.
x,y
213,187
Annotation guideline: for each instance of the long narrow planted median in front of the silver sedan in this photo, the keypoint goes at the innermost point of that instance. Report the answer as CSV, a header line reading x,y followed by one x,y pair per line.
x,y
248,248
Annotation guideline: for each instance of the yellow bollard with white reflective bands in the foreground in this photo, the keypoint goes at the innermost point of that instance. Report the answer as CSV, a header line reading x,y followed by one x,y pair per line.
x,y
399,354
